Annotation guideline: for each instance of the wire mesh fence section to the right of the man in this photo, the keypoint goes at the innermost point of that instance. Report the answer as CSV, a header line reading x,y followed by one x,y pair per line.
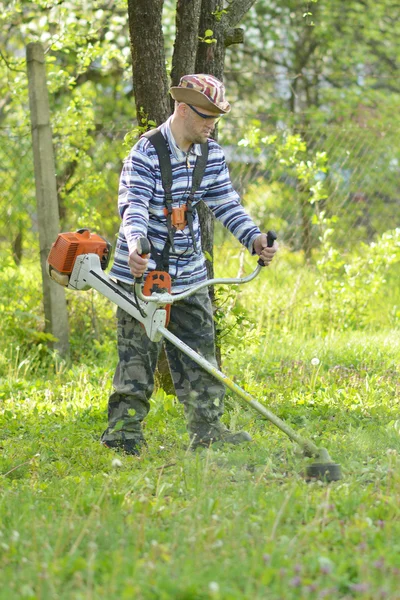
x,y
360,183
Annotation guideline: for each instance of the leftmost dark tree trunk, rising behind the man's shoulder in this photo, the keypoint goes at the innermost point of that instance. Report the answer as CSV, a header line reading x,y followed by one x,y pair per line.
x,y
148,61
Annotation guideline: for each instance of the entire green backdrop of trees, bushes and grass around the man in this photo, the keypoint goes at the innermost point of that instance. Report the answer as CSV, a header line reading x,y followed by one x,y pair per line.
x,y
313,147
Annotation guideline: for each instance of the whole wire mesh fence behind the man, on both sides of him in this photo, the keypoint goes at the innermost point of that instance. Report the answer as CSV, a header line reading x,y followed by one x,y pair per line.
x,y
361,184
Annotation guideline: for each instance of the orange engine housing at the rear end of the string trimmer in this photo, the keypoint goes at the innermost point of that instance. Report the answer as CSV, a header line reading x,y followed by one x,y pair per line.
x,y
70,245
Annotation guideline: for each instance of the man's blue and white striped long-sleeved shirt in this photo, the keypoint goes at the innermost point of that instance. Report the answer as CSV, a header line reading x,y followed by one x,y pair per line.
x,y
141,207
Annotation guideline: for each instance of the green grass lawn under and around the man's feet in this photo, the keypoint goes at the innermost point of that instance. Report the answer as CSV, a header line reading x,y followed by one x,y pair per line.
x,y
79,521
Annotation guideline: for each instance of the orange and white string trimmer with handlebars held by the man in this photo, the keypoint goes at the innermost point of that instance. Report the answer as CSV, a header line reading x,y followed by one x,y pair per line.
x,y
78,260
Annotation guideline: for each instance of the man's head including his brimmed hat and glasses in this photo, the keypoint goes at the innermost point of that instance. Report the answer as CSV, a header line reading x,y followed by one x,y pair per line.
x,y
199,103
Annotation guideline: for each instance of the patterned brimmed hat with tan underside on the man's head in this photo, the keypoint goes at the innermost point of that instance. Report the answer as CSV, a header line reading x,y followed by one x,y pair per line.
x,y
204,91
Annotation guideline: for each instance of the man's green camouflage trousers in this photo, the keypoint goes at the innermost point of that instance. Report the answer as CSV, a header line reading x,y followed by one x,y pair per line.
x,y
200,393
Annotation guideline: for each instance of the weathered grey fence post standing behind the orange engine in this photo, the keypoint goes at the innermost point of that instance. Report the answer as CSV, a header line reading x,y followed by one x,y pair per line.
x,y
55,306
